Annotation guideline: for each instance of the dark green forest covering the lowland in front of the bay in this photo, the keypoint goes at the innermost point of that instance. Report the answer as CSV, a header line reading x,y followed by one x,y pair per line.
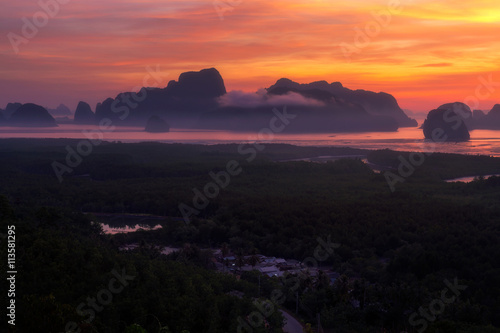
x,y
398,249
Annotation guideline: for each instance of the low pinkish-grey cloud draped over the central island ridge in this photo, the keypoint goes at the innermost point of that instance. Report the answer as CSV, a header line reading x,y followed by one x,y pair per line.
x,y
261,98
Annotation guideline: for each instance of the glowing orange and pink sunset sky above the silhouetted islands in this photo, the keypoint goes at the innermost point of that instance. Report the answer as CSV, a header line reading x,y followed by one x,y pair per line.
x,y
425,53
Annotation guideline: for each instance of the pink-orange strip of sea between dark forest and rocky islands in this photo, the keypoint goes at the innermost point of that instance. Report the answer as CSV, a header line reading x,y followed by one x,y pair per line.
x,y
485,142
